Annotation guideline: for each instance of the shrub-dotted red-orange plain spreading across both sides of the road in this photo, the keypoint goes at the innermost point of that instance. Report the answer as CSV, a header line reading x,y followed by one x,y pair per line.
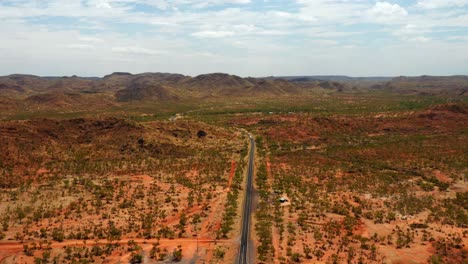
x,y
366,176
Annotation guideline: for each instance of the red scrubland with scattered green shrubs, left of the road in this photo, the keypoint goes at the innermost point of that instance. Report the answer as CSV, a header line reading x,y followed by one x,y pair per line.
x,y
156,181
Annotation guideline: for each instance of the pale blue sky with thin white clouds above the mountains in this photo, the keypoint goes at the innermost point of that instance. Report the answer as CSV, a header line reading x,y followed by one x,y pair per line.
x,y
242,37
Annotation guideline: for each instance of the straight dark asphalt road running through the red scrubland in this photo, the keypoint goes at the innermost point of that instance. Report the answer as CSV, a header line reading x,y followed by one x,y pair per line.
x,y
243,257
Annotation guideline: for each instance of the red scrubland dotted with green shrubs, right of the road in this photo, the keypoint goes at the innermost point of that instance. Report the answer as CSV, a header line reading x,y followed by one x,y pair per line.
x,y
362,189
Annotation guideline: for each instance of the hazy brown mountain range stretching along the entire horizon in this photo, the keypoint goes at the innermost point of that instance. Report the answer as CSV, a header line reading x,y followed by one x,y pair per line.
x,y
33,92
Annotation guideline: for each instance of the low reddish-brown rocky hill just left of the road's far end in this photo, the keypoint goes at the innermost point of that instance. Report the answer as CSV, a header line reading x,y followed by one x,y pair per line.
x,y
32,144
